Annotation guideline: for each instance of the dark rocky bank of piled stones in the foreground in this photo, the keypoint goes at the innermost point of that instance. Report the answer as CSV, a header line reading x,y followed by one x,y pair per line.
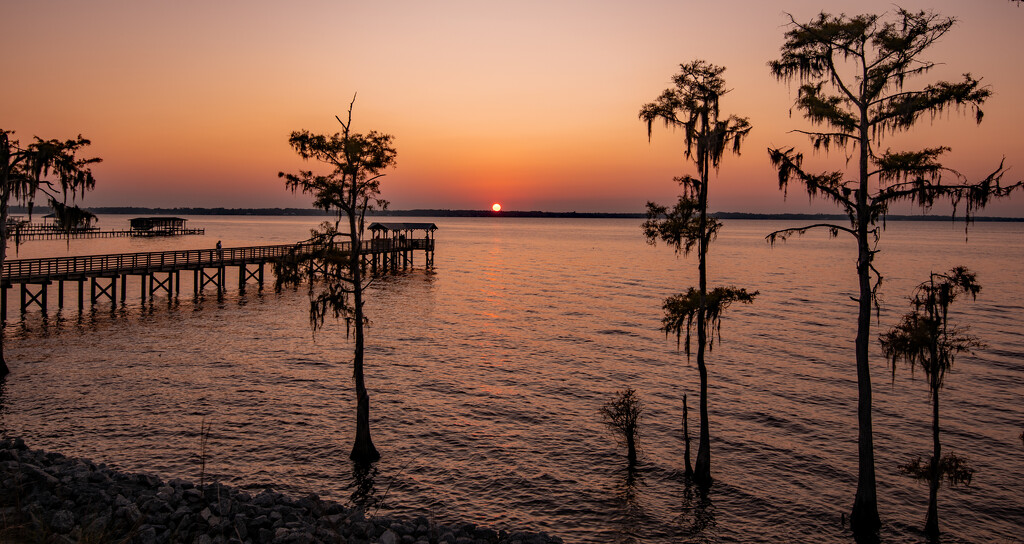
x,y
47,497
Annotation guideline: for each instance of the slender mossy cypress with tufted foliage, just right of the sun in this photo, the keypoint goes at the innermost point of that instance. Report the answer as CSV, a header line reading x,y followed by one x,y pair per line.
x,y
694,107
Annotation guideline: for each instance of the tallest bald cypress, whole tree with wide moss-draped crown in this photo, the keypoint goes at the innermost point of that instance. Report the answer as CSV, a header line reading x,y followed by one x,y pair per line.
x,y
855,76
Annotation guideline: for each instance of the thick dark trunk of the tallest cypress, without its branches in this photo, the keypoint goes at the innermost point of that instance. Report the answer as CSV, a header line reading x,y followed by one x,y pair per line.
x,y
865,519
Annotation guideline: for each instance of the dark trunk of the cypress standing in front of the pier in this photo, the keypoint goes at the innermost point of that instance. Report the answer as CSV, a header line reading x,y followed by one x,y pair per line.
x,y
364,450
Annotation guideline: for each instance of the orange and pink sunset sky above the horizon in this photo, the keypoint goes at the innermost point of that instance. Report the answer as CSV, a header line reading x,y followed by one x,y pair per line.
x,y
530,104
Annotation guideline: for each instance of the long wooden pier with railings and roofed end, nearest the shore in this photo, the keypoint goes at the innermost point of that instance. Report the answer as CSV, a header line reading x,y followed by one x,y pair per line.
x,y
160,272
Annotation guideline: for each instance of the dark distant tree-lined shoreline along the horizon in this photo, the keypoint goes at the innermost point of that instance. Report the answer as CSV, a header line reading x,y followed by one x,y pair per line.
x,y
489,214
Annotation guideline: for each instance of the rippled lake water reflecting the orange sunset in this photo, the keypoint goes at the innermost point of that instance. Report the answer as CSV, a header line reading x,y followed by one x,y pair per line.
x,y
487,374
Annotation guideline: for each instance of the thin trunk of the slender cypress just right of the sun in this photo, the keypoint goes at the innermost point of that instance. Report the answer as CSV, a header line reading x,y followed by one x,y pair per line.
x,y
702,473
